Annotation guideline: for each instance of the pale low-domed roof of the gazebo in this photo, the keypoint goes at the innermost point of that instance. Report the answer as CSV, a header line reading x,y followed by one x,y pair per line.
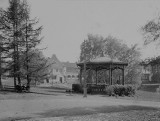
x,y
103,60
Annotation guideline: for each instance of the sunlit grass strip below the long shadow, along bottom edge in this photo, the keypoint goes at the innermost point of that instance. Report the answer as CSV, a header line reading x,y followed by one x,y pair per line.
x,y
118,116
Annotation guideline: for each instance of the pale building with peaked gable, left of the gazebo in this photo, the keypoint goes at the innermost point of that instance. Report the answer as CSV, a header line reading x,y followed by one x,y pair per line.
x,y
61,72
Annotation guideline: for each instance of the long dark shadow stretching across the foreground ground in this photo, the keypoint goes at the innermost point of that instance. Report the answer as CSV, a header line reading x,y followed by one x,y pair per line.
x,y
89,111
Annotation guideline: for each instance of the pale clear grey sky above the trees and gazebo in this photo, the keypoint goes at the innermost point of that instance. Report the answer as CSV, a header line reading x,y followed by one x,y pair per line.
x,y
66,23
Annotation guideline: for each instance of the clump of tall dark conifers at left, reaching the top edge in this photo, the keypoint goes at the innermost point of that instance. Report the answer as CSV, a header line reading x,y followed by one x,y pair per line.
x,y
22,36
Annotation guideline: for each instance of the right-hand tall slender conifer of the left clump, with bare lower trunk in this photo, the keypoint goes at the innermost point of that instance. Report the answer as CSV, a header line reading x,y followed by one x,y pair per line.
x,y
30,37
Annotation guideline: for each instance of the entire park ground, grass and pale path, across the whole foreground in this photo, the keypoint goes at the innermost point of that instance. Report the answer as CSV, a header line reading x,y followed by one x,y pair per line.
x,y
55,104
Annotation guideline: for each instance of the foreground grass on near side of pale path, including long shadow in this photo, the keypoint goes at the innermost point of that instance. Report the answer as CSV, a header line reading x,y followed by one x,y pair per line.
x,y
108,113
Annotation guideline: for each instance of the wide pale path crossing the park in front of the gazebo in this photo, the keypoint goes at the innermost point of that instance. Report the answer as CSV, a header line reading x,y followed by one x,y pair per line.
x,y
33,107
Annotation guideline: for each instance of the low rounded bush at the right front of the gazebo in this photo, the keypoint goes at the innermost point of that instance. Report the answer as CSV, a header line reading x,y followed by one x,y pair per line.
x,y
120,90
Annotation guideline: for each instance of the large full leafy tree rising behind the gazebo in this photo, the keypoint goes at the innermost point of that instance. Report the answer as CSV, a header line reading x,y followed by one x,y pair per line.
x,y
97,46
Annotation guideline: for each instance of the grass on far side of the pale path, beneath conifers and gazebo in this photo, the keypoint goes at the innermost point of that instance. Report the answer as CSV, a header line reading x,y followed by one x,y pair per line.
x,y
39,92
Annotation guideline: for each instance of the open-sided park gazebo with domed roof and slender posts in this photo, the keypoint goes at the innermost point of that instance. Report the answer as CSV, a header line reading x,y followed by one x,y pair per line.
x,y
103,63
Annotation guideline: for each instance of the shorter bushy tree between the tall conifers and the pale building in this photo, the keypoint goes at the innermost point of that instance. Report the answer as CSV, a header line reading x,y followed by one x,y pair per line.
x,y
37,66
